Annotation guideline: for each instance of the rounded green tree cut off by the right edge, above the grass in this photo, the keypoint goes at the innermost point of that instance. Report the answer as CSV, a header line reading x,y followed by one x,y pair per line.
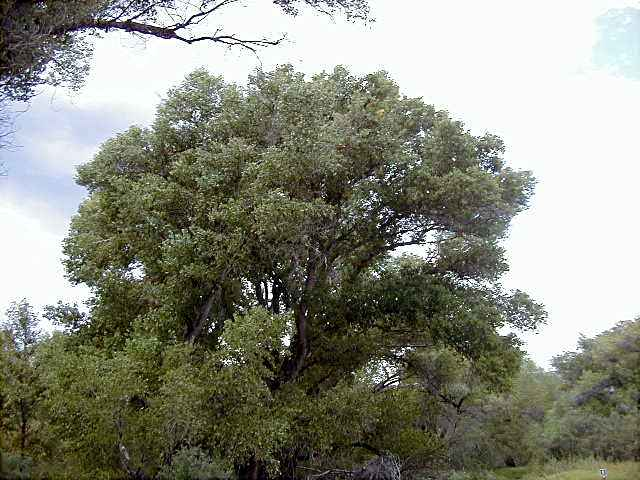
x,y
599,413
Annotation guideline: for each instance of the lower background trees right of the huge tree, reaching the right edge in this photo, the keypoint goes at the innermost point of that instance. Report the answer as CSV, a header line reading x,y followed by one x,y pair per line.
x,y
588,407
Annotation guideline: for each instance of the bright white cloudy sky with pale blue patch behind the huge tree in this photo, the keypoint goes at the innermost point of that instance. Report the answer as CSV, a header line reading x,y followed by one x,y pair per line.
x,y
521,70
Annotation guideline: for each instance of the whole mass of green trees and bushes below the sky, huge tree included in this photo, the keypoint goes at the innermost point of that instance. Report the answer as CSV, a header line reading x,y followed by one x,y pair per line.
x,y
251,317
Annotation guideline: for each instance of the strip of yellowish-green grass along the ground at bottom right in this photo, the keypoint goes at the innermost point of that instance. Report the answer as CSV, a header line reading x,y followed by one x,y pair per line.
x,y
575,470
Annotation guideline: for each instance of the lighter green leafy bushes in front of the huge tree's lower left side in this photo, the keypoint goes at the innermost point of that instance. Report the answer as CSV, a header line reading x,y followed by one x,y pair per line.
x,y
150,400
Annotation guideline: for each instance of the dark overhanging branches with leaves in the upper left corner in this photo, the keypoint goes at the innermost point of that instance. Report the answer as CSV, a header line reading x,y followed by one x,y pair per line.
x,y
50,42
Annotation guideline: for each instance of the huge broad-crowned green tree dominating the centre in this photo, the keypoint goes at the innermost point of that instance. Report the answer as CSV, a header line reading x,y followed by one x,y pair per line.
x,y
260,225
